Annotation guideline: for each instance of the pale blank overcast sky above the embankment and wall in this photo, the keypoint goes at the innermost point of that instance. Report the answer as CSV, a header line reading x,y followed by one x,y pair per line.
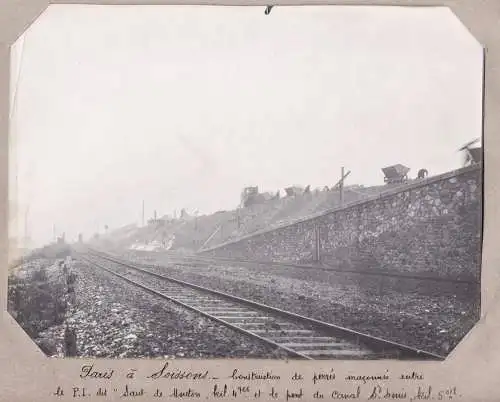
x,y
184,106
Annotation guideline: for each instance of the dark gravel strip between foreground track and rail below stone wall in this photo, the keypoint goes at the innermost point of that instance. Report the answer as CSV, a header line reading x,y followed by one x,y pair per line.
x,y
433,316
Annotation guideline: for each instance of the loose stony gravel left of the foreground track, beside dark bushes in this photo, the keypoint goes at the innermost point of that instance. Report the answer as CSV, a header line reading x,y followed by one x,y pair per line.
x,y
114,319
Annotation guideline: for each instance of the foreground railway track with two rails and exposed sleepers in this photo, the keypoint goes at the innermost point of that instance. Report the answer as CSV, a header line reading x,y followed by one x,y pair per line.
x,y
296,335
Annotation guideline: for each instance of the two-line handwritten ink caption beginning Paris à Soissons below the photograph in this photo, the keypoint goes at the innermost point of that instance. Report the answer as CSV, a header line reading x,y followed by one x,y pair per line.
x,y
169,382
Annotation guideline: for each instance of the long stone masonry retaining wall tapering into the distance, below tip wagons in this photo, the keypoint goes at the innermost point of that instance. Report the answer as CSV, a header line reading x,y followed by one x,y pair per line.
x,y
432,227
